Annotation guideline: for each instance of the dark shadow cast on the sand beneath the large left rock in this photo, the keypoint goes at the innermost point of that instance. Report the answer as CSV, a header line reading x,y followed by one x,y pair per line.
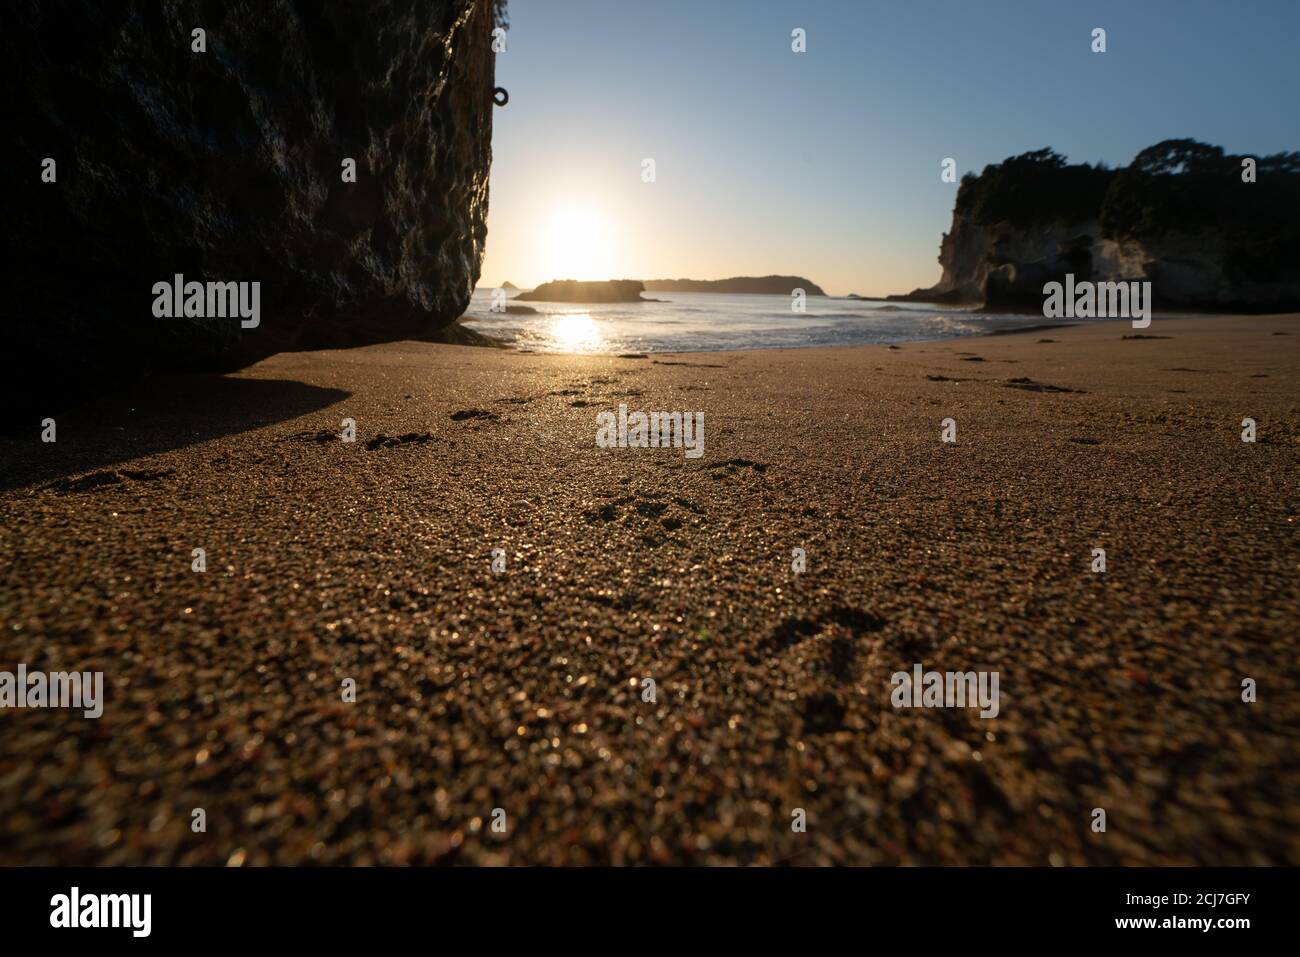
x,y
154,417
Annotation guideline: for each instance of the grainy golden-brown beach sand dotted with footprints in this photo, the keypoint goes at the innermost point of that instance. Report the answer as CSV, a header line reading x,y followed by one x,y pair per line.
x,y
522,691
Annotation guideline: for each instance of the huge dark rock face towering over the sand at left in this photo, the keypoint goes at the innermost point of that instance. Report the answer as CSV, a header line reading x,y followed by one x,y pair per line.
x,y
222,158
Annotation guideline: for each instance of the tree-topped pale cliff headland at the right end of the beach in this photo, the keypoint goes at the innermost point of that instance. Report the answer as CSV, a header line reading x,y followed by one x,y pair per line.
x,y
1203,229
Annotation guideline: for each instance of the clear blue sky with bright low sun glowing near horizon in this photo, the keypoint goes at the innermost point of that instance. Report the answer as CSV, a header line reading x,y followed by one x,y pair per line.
x,y
827,164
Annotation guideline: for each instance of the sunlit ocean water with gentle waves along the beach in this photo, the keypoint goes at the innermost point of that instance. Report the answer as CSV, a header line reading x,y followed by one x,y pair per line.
x,y
710,322
